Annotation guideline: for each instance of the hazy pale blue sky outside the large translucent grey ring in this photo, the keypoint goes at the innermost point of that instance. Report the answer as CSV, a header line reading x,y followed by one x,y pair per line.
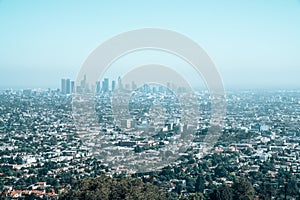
x,y
254,43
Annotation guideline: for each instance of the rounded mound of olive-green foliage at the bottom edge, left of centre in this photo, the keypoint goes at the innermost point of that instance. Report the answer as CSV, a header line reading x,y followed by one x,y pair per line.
x,y
113,188
